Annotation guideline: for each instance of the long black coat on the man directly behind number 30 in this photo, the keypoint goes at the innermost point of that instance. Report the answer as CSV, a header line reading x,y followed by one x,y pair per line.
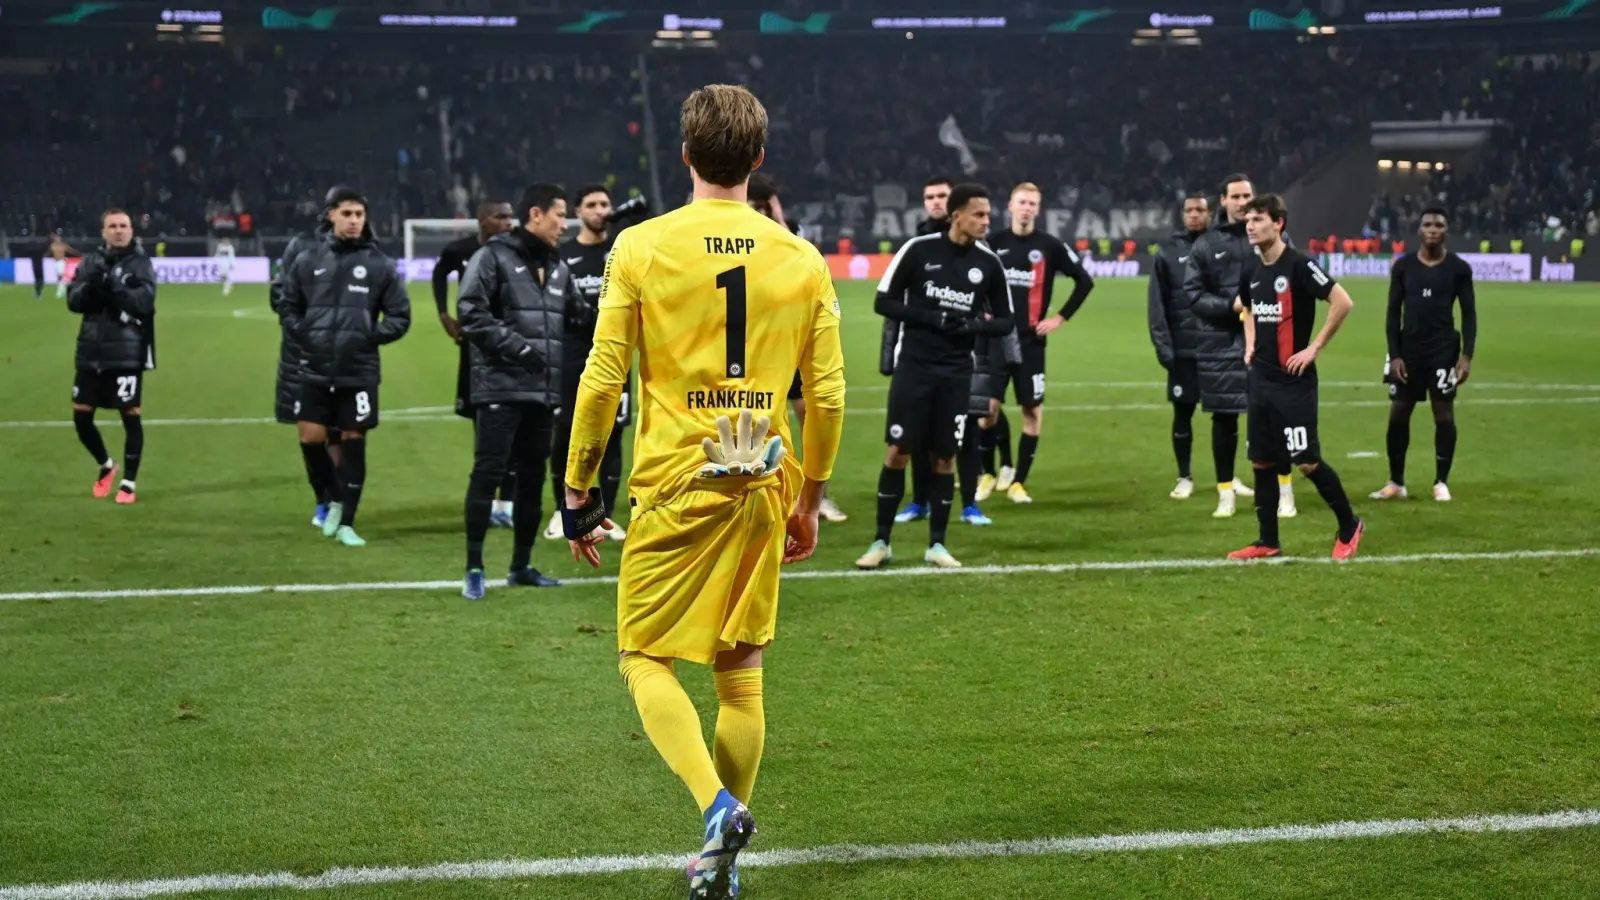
x,y
1218,263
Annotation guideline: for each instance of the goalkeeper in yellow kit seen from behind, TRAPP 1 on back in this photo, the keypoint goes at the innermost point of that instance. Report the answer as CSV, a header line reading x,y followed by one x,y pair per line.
x,y
724,307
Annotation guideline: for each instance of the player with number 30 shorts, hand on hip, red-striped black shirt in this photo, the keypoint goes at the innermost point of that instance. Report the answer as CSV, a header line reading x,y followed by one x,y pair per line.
x,y
1279,297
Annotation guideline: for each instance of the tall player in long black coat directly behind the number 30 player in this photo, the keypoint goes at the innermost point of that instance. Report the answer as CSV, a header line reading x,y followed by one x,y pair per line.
x,y
1212,281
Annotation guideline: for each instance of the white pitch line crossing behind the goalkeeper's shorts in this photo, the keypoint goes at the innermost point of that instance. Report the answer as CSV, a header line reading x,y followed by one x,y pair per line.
x,y
810,574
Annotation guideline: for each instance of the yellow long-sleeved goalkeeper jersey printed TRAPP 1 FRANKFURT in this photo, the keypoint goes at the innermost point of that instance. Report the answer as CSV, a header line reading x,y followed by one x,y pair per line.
x,y
724,307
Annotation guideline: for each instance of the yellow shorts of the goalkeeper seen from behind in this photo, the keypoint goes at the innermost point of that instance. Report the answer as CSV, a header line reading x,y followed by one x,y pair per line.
x,y
700,573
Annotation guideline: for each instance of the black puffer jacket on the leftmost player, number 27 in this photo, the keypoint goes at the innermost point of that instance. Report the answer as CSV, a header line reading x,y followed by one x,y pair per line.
x,y
114,291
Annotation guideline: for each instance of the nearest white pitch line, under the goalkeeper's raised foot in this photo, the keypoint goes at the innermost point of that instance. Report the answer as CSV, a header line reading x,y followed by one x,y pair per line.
x,y
836,854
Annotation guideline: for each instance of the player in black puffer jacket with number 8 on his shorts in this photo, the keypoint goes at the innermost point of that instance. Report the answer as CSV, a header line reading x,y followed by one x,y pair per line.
x,y
343,300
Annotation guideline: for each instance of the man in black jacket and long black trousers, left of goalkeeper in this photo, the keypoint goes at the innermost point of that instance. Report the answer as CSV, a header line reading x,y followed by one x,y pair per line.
x,y
518,302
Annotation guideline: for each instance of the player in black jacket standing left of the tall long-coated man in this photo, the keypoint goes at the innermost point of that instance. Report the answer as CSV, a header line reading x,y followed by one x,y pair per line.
x,y
1177,334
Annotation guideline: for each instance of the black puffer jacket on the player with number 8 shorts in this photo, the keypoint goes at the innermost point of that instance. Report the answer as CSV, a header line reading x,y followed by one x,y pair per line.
x,y
342,302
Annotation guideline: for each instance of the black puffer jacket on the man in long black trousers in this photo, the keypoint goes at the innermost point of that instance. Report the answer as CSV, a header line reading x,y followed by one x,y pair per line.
x,y
514,323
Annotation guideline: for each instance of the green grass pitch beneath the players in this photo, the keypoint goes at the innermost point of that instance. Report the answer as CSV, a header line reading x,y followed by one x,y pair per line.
x,y
212,734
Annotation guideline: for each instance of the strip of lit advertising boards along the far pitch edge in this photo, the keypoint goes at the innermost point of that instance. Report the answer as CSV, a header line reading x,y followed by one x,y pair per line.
x,y
860,267
